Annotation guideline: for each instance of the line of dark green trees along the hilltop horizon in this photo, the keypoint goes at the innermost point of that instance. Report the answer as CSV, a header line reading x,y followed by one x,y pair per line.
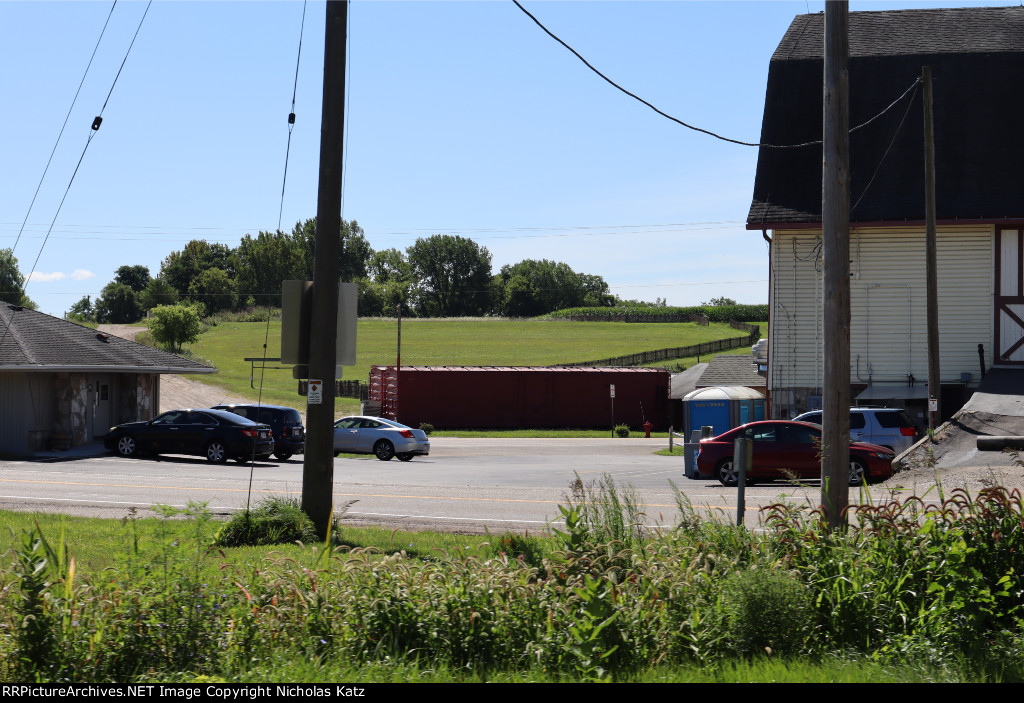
x,y
443,276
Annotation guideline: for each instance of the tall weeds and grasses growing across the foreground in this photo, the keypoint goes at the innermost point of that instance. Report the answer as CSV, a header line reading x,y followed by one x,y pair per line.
x,y
932,588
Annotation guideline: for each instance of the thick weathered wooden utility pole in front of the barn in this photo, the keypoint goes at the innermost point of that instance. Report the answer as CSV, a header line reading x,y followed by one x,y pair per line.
x,y
836,247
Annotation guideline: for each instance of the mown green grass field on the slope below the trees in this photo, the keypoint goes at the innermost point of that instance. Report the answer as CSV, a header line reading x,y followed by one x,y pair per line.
x,y
440,342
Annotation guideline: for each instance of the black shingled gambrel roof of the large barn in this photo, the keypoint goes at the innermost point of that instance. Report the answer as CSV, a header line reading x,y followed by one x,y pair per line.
x,y
977,60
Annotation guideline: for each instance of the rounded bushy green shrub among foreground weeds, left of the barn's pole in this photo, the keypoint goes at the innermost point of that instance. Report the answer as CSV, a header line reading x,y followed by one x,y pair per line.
x,y
766,610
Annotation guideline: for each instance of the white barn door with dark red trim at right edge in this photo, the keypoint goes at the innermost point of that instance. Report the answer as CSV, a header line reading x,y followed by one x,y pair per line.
x,y
1009,298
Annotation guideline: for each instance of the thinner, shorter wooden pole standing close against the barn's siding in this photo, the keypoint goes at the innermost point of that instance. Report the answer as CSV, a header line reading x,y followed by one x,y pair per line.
x,y
934,387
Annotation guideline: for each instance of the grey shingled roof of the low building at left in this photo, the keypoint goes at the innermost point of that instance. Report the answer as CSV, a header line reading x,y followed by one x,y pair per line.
x,y
34,341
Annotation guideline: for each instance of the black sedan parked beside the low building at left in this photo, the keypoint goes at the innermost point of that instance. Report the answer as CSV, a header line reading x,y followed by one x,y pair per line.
x,y
219,435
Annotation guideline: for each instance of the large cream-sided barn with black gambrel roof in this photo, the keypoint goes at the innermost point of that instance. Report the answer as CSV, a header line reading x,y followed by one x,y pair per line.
x,y
977,60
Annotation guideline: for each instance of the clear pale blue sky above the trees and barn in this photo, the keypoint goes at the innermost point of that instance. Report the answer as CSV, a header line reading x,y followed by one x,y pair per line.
x,y
464,118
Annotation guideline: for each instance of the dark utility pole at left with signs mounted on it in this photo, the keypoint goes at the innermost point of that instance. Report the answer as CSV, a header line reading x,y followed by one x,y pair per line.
x,y
318,465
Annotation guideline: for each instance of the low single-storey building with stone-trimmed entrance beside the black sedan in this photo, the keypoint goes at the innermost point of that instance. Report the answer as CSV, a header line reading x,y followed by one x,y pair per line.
x,y
64,385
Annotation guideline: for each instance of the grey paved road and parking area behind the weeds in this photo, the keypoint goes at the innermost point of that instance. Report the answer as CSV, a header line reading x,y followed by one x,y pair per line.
x,y
464,486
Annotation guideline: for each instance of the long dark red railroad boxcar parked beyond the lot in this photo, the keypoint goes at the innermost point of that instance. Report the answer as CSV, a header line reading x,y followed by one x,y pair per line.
x,y
466,398
